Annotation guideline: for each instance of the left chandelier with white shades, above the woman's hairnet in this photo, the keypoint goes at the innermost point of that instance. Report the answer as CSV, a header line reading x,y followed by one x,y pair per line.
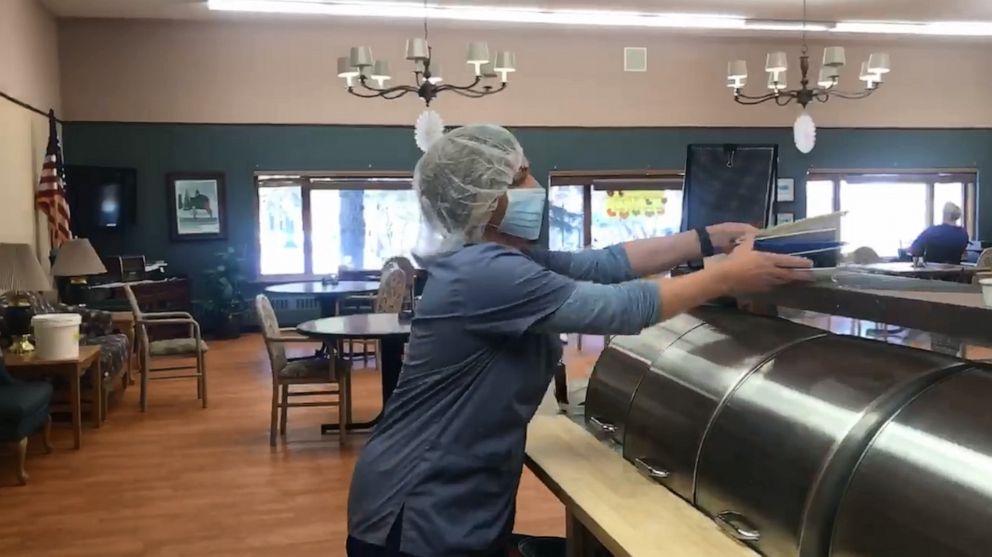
x,y
360,70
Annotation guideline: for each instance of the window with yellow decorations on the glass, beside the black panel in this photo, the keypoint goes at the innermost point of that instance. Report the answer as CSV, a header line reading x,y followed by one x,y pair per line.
x,y
602,211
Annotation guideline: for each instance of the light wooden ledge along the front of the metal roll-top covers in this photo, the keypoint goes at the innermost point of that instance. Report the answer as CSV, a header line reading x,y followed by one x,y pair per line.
x,y
609,502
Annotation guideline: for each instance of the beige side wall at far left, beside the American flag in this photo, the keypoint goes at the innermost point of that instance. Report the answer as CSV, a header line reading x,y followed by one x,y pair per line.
x,y
29,70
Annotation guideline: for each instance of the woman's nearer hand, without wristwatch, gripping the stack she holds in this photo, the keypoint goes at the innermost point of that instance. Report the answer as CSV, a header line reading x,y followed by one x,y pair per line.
x,y
747,271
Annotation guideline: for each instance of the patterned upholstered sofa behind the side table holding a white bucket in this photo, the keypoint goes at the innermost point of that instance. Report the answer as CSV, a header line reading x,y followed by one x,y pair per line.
x,y
97,329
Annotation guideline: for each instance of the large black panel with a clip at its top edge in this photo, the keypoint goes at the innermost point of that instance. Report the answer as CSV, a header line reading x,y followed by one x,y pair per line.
x,y
729,183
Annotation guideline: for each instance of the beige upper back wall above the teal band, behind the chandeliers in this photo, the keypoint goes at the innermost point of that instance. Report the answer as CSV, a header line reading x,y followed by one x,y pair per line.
x,y
284,72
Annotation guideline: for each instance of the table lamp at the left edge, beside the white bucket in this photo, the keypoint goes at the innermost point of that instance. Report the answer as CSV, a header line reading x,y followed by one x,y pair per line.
x,y
20,272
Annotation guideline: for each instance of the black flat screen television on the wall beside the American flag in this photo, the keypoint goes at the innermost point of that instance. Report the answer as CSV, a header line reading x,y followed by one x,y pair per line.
x,y
102,199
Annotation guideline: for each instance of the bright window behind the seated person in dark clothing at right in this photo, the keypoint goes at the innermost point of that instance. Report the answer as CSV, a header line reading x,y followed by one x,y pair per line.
x,y
886,212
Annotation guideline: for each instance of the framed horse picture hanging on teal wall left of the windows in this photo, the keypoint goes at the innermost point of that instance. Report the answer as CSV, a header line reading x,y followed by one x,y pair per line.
x,y
196,206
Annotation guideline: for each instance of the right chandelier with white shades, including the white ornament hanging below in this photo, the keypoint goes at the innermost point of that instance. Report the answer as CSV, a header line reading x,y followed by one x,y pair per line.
x,y
776,65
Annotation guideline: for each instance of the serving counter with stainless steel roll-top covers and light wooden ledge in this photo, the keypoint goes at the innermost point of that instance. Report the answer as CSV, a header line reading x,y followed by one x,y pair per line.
x,y
723,426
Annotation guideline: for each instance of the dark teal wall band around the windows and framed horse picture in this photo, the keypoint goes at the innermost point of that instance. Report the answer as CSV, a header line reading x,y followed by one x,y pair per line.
x,y
240,150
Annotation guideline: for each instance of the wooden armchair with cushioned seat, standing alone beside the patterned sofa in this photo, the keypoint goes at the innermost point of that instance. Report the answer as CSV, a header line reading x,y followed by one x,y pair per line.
x,y
191,346
